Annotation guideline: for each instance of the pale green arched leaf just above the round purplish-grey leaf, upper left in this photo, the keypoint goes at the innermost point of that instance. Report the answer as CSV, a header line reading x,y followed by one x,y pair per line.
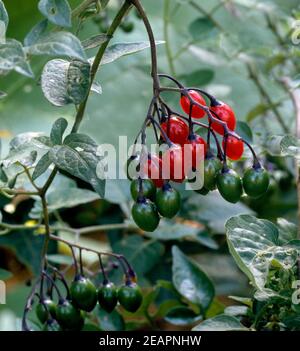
x,y
59,44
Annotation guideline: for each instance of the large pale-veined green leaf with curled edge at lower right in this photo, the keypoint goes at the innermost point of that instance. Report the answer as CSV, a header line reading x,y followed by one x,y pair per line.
x,y
253,243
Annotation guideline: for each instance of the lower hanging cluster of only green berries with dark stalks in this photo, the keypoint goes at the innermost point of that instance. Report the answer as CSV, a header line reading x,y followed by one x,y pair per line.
x,y
67,310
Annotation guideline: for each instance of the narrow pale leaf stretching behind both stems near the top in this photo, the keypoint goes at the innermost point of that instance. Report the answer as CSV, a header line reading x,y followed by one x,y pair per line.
x,y
118,50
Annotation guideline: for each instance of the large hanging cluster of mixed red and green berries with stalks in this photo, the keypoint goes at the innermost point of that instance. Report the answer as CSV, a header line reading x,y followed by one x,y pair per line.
x,y
151,189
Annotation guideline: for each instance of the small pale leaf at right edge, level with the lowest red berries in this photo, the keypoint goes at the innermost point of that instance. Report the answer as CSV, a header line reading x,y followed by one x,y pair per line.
x,y
286,145
